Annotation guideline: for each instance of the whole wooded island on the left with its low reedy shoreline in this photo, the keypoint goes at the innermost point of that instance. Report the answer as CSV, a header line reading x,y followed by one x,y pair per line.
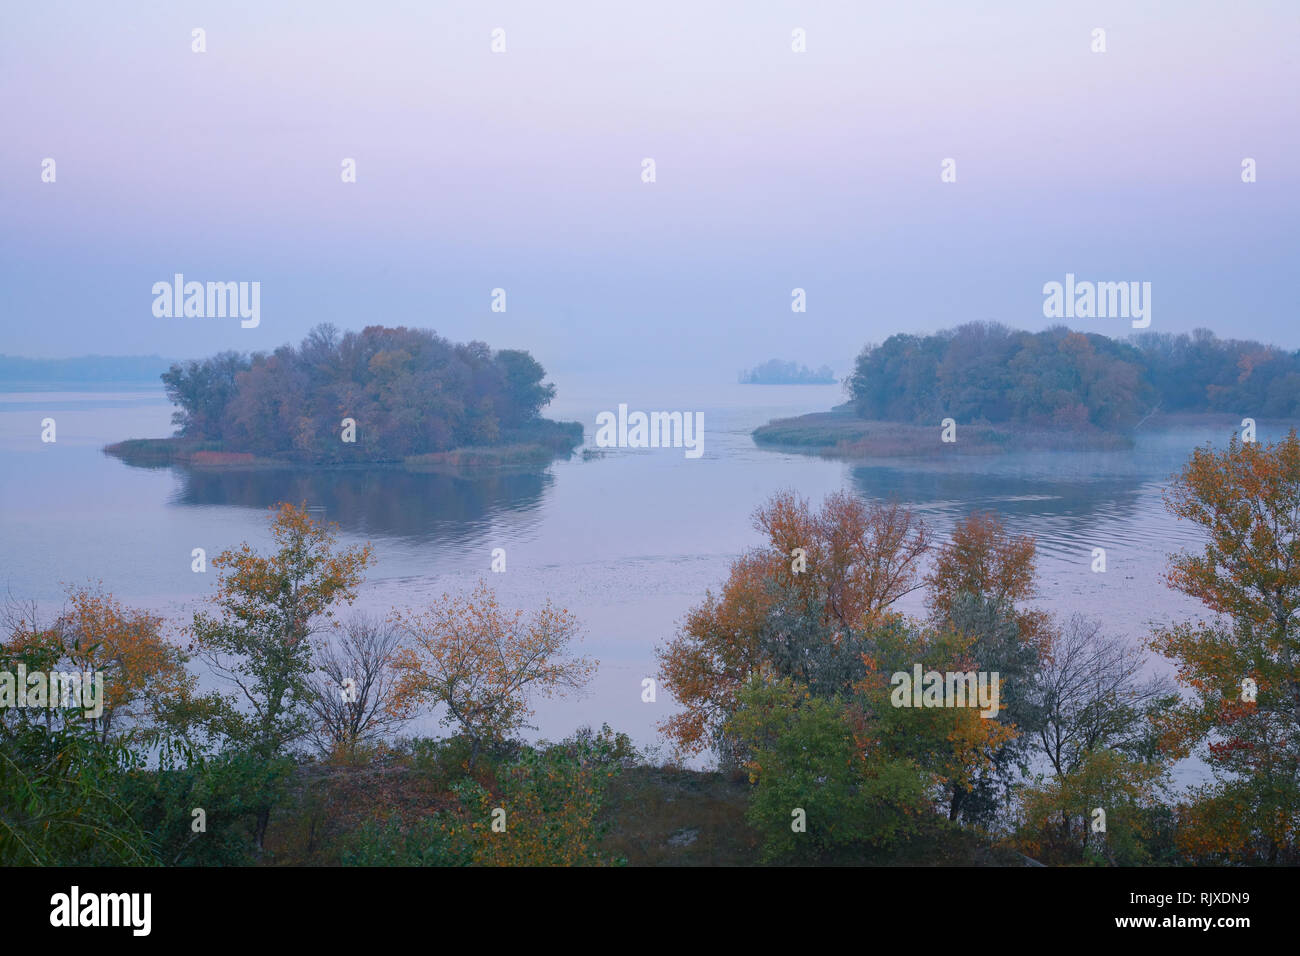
x,y
378,396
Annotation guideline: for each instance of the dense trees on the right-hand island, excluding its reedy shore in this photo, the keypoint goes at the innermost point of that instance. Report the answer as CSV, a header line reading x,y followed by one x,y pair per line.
x,y
1058,378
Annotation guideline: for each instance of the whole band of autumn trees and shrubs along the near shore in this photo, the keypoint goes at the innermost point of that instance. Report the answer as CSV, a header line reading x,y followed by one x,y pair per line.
x,y
787,676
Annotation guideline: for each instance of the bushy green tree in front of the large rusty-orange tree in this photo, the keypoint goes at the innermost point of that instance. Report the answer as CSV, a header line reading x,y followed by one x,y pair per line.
x,y
868,773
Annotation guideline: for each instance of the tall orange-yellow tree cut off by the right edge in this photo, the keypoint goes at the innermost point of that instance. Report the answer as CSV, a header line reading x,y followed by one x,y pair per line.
x,y
1241,665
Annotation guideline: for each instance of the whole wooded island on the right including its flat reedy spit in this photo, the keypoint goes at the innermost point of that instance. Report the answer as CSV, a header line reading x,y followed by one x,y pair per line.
x,y
1055,390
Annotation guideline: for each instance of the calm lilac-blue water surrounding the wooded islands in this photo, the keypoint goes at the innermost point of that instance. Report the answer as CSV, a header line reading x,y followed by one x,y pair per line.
x,y
629,542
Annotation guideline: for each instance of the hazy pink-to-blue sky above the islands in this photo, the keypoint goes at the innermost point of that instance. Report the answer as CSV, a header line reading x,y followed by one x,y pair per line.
x,y
523,171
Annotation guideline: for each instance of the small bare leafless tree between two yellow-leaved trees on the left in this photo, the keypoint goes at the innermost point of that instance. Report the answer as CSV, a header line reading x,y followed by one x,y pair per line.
x,y
353,693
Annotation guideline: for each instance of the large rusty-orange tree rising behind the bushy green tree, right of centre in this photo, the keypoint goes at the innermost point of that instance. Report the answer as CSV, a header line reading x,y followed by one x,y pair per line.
x,y
817,583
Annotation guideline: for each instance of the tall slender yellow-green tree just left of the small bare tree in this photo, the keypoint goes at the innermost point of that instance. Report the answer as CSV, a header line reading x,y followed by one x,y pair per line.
x,y
258,638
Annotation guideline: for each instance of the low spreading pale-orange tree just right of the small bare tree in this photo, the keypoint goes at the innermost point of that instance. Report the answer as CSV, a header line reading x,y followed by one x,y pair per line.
x,y
486,664
